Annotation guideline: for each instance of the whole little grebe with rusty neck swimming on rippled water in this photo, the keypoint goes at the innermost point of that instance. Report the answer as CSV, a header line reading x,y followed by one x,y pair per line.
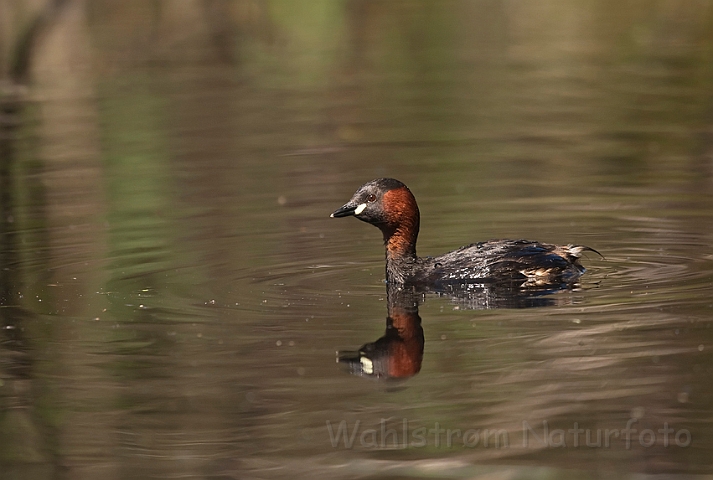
x,y
389,205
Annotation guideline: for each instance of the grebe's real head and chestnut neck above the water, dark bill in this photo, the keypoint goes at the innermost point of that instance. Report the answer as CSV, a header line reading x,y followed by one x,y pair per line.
x,y
389,205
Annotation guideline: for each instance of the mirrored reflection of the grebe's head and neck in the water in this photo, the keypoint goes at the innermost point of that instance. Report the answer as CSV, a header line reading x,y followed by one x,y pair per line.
x,y
398,354
